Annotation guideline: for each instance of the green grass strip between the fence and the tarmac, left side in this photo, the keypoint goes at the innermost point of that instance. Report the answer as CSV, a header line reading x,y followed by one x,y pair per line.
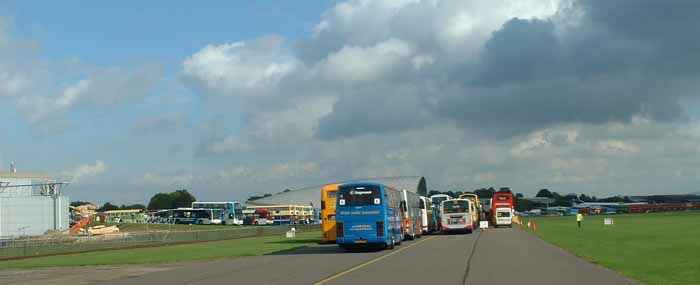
x,y
173,253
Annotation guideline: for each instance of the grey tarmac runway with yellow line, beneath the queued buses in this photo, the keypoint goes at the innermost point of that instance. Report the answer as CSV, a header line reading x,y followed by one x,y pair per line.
x,y
495,256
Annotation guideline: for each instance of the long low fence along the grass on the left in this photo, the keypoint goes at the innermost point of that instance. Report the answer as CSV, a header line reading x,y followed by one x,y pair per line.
x,y
17,248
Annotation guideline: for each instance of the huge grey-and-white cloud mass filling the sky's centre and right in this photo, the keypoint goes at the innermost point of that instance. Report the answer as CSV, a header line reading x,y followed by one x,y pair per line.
x,y
577,95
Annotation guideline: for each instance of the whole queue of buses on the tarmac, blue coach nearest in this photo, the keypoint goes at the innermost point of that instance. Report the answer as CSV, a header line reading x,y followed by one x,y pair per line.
x,y
363,214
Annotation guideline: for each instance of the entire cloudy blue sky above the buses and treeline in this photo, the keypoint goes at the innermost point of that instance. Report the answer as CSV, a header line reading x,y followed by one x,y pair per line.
x,y
234,98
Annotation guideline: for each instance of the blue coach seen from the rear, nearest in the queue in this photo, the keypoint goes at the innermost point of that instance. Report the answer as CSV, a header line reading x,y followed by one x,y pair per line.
x,y
368,214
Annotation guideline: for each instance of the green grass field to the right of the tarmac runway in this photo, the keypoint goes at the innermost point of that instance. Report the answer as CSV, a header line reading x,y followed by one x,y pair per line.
x,y
662,248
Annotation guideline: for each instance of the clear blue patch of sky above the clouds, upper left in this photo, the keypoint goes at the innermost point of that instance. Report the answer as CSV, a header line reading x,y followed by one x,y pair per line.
x,y
133,32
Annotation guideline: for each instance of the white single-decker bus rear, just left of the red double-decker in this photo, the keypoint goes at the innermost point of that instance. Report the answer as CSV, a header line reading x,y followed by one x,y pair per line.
x,y
456,216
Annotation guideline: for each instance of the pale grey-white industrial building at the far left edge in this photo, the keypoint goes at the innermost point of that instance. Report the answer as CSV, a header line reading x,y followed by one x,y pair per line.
x,y
31,204
